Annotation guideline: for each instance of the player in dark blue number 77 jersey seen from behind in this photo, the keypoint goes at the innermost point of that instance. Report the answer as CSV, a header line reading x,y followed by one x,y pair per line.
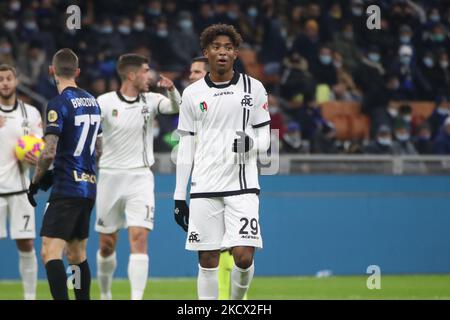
x,y
73,144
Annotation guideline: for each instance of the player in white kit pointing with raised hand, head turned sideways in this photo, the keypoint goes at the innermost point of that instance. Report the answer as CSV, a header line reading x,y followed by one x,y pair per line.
x,y
125,197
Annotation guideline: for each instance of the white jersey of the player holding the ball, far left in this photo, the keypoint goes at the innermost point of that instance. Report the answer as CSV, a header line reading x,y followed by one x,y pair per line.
x,y
22,119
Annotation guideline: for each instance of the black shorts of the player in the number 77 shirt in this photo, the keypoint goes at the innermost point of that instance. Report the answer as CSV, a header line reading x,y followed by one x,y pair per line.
x,y
67,218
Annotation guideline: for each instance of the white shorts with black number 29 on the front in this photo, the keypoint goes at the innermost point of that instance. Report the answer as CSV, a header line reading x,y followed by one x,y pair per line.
x,y
217,223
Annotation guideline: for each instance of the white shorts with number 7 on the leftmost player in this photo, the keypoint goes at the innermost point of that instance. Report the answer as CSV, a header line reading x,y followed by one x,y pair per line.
x,y
20,214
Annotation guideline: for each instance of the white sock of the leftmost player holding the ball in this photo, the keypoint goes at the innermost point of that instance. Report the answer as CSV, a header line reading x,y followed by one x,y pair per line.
x,y
28,273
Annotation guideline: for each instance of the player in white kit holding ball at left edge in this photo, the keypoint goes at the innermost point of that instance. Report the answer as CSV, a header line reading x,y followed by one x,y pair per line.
x,y
17,119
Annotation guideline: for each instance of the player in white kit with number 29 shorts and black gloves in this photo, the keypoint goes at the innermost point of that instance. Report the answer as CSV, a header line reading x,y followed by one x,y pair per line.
x,y
224,123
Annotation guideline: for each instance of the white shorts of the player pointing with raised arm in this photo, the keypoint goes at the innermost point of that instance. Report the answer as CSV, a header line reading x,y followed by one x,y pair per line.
x,y
124,199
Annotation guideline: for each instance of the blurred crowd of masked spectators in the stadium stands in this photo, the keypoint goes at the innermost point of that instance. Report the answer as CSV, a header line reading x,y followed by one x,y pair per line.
x,y
308,54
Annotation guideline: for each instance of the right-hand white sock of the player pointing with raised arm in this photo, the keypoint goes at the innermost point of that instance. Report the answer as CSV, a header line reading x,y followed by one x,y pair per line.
x,y
138,274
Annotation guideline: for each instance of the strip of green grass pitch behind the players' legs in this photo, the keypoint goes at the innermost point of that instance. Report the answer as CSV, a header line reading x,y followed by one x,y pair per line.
x,y
271,288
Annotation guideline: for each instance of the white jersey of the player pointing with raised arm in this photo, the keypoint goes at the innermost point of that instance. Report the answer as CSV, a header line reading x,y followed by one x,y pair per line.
x,y
128,128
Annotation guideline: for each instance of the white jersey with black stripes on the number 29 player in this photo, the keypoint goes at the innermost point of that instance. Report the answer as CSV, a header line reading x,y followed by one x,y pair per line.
x,y
214,113
